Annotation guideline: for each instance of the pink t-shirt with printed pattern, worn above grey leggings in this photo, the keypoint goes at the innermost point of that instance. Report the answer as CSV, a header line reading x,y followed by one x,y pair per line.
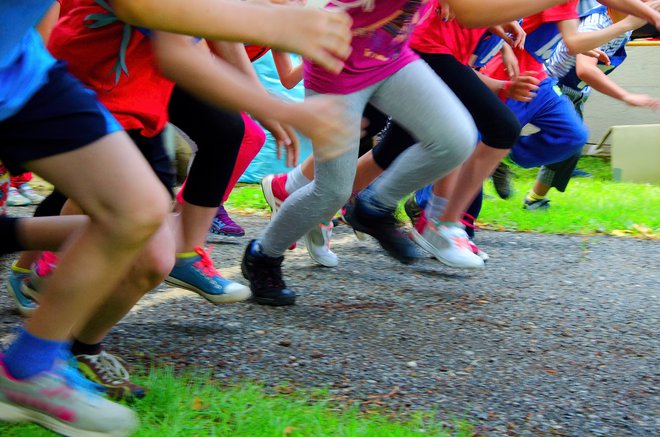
x,y
380,47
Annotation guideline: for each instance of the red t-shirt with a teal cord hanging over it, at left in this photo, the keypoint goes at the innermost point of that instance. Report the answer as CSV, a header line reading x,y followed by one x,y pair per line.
x,y
138,100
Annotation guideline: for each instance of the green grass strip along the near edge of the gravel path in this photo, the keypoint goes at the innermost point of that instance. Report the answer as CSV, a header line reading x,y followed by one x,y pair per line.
x,y
193,405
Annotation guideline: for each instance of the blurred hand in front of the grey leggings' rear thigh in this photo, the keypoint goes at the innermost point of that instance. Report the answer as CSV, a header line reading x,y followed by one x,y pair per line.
x,y
324,119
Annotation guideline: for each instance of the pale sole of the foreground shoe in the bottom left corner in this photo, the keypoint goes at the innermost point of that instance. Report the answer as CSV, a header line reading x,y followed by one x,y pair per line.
x,y
15,414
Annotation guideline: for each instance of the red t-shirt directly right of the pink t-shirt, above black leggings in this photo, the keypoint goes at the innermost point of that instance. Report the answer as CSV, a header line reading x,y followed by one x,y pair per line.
x,y
434,35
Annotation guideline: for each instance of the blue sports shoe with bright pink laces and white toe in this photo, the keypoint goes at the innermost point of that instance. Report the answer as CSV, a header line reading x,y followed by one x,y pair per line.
x,y
197,273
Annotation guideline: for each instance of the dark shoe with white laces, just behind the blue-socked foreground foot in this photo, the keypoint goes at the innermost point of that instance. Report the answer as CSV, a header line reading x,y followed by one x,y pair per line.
x,y
109,372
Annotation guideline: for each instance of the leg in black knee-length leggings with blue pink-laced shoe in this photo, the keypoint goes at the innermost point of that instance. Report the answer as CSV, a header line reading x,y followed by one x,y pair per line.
x,y
218,135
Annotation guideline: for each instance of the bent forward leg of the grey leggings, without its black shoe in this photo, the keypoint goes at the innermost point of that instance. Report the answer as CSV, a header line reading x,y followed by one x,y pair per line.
x,y
424,105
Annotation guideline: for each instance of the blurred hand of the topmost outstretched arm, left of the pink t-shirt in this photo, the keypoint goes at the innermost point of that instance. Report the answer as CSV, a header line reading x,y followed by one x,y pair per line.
x,y
322,36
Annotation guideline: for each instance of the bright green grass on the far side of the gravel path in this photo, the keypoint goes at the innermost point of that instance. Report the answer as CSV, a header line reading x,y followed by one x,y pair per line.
x,y
589,205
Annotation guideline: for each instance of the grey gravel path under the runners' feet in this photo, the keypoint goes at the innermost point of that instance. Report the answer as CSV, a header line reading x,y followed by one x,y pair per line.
x,y
557,336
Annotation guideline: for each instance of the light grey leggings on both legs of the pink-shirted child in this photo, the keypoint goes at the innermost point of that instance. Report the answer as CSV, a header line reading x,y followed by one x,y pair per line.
x,y
420,102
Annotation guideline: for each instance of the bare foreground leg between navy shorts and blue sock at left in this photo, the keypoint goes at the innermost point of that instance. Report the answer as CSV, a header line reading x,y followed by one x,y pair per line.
x,y
114,236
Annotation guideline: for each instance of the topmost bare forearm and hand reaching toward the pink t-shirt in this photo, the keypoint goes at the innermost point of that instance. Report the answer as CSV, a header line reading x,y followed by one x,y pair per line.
x,y
321,36
